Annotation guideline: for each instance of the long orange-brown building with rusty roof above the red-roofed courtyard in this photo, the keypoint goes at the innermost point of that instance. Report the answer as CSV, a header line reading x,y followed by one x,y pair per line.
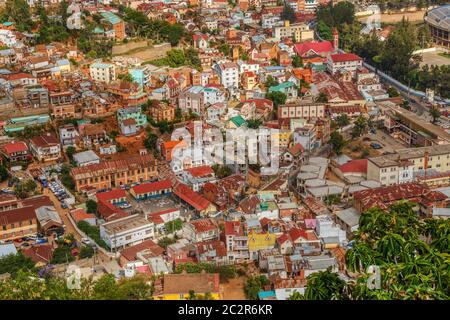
x,y
115,173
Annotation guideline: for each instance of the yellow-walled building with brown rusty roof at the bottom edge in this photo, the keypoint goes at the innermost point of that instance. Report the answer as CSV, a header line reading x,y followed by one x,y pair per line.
x,y
180,286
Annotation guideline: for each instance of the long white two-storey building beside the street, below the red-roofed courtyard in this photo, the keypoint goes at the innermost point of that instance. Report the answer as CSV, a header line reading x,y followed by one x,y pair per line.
x,y
126,231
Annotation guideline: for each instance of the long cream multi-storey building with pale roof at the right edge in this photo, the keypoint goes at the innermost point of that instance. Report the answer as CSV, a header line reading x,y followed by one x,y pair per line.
x,y
402,166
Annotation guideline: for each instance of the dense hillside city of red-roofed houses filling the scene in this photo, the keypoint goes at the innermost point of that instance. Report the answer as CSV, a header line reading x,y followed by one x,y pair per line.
x,y
91,170
